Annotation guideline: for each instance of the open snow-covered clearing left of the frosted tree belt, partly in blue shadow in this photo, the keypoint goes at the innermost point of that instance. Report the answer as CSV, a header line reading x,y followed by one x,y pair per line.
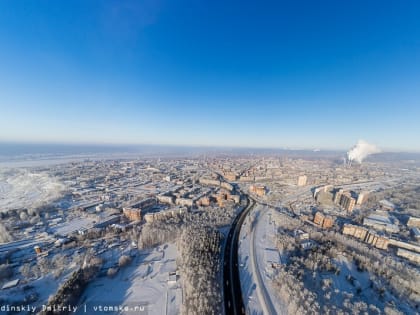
x,y
143,283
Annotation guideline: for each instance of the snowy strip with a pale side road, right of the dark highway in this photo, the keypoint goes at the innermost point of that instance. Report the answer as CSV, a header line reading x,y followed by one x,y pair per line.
x,y
257,252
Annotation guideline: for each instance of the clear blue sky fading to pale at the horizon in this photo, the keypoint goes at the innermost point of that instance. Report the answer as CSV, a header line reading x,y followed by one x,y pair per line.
x,y
287,74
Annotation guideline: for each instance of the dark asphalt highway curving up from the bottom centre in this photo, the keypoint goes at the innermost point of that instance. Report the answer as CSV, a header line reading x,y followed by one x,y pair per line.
x,y
231,283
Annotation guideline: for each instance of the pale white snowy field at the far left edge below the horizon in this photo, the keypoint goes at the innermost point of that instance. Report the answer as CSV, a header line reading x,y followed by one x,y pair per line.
x,y
20,188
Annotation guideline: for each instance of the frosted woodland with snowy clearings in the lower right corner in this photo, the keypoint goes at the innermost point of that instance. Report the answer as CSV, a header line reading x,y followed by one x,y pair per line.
x,y
307,275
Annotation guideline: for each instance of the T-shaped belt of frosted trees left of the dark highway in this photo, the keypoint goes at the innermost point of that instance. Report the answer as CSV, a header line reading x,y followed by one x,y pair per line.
x,y
199,244
